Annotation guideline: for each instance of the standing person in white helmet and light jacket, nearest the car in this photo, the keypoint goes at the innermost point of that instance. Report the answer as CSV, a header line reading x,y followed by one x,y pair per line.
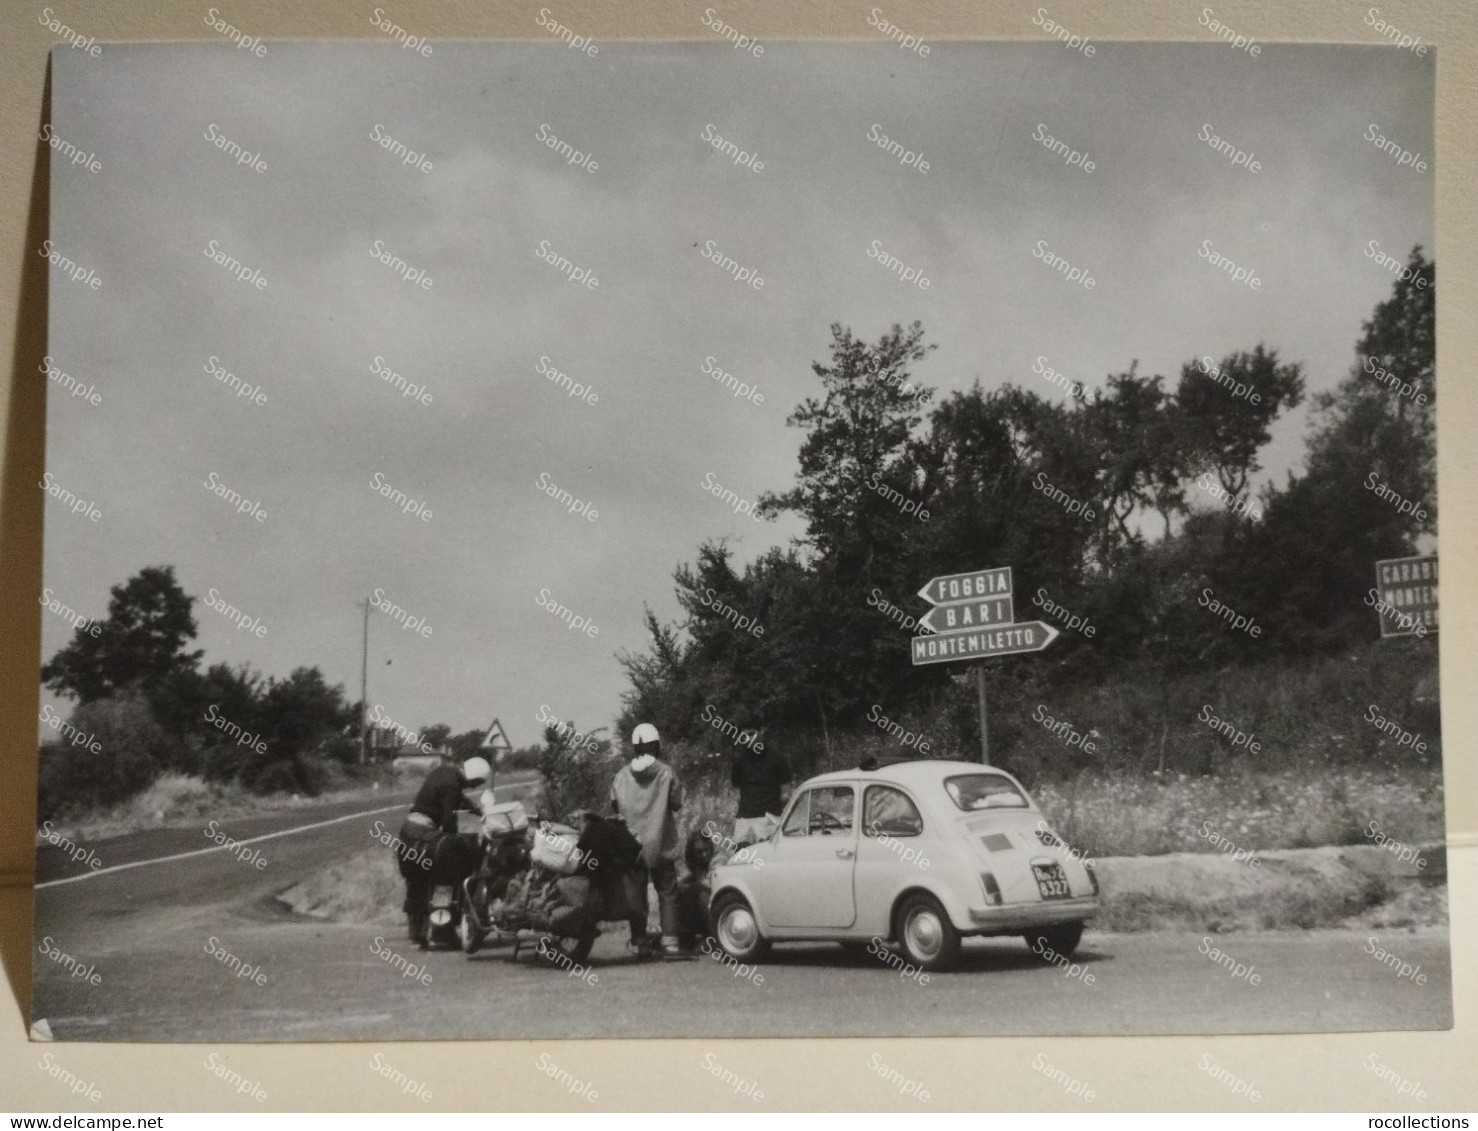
x,y
648,795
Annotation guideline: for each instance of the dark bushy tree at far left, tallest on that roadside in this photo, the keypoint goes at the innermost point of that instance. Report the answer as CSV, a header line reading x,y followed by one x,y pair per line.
x,y
141,644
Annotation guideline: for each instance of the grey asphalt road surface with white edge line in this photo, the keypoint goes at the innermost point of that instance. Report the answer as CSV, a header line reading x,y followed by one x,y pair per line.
x,y
156,928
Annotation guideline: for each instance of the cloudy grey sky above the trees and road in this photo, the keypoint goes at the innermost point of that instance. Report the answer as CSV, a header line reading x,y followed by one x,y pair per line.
x,y
639,223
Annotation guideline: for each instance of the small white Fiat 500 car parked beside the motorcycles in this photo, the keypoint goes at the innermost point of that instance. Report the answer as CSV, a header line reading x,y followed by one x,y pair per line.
x,y
922,854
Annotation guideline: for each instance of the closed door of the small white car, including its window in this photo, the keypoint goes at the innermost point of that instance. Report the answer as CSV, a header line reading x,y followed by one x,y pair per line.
x,y
809,874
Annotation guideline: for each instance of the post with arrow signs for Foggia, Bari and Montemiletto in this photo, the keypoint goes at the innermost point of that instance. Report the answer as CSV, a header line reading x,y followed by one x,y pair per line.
x,y
975,619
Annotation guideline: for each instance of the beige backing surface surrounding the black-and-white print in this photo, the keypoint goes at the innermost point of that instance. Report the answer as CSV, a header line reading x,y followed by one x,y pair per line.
x,y
1321,1073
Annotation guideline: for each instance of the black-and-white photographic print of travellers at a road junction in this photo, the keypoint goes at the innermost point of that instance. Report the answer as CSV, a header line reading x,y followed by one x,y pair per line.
x,y
586,539
